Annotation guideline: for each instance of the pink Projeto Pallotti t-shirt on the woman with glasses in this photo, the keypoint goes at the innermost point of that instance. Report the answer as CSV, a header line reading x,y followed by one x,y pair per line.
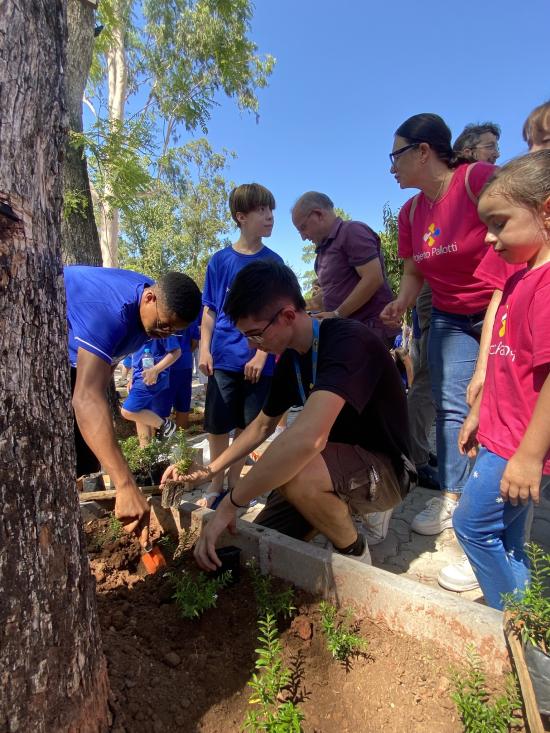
x,y
447,243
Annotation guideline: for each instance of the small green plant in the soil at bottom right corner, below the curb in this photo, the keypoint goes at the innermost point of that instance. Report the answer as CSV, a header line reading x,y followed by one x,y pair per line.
x,y
472,700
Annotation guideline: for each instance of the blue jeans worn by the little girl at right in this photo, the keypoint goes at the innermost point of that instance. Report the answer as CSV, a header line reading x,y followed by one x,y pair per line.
x,y
492,532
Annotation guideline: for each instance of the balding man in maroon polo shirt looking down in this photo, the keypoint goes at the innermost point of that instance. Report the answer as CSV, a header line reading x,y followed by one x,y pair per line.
x,y
349,263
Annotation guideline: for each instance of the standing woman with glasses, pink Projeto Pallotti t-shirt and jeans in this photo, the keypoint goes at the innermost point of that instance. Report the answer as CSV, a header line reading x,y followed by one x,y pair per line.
x,y
442,241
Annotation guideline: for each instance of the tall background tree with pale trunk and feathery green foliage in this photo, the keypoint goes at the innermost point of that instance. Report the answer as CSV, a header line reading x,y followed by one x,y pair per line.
x,y
160,69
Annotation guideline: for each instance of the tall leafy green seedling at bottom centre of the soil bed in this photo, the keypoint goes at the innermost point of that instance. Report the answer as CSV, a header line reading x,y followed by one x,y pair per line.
x,y
268,682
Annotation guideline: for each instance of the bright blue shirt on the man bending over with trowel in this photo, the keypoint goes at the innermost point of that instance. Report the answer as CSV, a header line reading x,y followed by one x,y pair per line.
x,y
103,311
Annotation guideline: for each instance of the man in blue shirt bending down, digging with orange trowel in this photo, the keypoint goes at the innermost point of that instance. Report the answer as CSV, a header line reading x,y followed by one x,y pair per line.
x,y
112,313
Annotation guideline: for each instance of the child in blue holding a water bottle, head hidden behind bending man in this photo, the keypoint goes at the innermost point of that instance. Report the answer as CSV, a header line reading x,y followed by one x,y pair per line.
x,y
149,402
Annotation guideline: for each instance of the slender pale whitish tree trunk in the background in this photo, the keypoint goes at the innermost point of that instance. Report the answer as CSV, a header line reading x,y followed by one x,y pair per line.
x,y
117,69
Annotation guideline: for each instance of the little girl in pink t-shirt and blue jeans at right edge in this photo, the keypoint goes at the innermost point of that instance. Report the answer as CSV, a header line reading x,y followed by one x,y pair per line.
x,y
510,416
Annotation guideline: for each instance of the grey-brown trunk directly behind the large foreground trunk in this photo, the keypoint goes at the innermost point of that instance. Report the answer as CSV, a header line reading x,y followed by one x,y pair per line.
x,y
79,237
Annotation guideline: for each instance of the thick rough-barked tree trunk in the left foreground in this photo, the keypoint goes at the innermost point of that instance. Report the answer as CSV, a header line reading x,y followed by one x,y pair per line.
x,y
53,675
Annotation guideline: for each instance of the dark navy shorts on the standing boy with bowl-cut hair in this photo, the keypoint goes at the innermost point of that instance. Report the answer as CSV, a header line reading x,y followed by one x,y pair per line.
x,y
232,401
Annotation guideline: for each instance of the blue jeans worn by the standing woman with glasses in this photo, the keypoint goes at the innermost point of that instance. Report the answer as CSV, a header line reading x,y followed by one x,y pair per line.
x,y
453,346
